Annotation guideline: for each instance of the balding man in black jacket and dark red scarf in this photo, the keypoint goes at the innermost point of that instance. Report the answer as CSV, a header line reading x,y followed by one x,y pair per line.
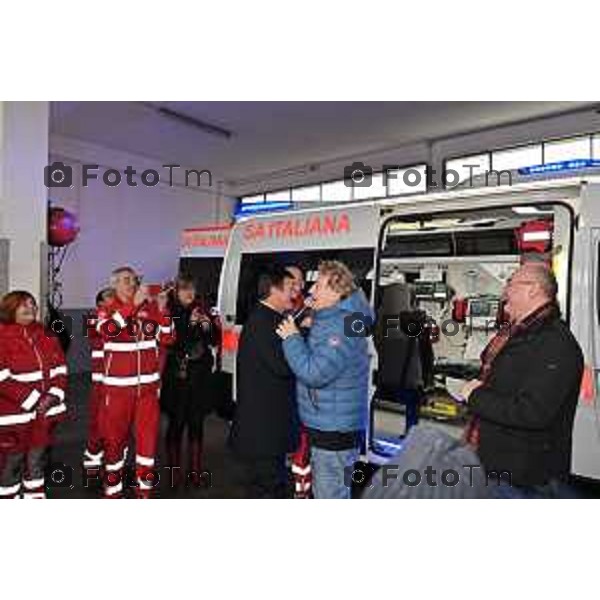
x,y
524,403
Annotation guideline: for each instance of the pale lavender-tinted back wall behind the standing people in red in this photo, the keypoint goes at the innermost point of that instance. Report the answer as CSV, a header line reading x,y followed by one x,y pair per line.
x,y
138,226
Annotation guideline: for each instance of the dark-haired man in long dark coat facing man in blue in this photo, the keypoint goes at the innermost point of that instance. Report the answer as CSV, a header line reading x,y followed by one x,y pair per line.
x,y
266,423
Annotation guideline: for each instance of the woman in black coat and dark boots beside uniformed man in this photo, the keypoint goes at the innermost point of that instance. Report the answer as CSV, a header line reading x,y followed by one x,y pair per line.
x,y
186,389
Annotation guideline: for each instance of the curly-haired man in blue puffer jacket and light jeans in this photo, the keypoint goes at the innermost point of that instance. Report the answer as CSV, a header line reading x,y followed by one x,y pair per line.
x,y
332,370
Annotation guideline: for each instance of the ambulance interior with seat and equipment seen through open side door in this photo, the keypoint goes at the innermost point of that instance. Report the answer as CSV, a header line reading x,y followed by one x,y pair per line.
x,y
438,303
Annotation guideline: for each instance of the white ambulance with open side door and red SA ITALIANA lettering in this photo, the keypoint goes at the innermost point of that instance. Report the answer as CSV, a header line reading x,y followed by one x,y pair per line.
x,y
448,255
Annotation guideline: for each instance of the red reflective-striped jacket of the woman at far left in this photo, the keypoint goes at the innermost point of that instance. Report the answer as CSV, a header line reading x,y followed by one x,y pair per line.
x,y
31,364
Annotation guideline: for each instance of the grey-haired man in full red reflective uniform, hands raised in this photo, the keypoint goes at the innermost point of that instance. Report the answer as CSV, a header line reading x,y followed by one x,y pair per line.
x,y
133,328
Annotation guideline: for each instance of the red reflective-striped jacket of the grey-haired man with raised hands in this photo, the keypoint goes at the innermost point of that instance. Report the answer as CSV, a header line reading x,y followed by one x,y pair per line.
x,y
132,341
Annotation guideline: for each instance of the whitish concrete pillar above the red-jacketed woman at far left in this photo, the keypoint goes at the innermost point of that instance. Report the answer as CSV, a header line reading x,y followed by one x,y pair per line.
x,y
23,196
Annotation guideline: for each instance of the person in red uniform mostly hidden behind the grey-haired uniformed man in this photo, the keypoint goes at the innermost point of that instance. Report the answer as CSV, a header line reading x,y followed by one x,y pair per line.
x,y
92,457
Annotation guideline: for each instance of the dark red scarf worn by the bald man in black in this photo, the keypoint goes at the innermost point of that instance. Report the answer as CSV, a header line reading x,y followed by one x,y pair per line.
x,y
550,310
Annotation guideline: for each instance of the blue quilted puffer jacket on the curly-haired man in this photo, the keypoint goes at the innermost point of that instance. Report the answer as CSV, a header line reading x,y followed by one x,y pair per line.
x,y
332,369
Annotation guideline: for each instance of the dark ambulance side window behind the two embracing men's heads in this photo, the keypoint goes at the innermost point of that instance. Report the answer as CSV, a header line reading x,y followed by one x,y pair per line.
x,y
359,261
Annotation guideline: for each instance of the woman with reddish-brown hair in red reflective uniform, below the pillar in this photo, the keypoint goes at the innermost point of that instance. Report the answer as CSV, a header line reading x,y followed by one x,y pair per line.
x,y
32,396
